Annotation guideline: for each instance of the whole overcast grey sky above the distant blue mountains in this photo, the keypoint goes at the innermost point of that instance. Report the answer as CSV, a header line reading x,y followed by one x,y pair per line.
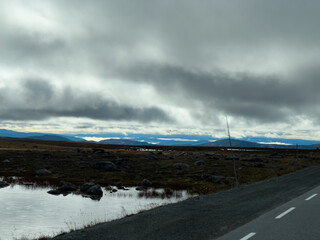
x,y
161,67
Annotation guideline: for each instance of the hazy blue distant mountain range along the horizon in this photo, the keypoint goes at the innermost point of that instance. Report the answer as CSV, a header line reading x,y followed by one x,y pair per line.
x,y
170,140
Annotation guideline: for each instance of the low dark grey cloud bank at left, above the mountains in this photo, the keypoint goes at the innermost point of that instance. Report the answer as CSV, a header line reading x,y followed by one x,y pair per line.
x,y
39,100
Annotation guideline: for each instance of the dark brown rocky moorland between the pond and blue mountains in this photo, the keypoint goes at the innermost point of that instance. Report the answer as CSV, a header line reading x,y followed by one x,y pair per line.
x,y
200,170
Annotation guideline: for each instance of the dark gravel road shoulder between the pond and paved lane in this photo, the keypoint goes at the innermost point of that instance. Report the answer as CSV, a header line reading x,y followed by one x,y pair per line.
x,y
206,217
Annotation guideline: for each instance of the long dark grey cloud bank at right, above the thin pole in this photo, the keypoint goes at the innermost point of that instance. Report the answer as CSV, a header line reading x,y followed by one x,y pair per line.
x,y
264,98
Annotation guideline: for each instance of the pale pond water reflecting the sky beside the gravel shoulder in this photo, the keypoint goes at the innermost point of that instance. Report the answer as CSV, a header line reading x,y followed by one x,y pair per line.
x,y
31,212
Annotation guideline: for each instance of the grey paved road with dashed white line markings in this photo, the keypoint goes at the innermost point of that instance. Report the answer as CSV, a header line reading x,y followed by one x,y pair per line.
x,y
299,219
